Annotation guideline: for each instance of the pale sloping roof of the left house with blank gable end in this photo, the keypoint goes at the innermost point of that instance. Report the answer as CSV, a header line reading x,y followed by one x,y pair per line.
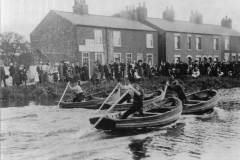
x,y
103,21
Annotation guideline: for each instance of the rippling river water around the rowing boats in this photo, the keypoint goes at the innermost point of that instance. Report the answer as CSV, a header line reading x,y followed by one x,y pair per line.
x,y
48,133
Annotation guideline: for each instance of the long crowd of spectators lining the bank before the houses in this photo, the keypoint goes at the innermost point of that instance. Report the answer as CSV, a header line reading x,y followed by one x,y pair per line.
x,y
65,71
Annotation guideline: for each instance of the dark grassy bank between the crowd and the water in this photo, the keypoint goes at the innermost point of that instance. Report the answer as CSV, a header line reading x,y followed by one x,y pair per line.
x,y
52,92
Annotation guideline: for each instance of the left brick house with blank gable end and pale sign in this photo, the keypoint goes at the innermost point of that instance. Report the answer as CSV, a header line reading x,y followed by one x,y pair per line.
x,y
84,38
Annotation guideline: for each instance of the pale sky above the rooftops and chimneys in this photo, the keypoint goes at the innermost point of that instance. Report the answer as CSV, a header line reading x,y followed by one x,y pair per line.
x,y
22,16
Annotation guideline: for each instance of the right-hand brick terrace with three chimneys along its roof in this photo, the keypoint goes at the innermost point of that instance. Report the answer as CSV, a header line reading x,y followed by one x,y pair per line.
x,y
193,40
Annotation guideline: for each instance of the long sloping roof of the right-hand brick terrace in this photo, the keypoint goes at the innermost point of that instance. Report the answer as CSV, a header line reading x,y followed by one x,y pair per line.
x,y
189,27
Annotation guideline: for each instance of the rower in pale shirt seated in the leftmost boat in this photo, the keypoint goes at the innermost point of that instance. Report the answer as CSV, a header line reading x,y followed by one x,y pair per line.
x,y
74,86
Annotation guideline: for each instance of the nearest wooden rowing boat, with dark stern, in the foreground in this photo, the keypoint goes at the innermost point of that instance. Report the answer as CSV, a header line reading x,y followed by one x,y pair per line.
x,y
160,113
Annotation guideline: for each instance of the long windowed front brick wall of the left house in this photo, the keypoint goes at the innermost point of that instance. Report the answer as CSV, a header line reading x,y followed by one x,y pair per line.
x,y
133,41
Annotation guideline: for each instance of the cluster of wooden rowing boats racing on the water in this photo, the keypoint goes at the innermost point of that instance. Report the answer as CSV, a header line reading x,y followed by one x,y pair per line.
x,y
157,110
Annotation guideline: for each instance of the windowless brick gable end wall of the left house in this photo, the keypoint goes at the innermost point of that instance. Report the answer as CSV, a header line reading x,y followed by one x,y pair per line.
x,y
54,37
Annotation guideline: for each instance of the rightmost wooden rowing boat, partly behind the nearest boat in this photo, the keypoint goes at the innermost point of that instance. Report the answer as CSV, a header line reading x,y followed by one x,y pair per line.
x,y
200,102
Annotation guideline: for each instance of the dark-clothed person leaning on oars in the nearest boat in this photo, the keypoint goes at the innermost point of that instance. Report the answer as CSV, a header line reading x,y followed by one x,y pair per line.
x,y
137,94
